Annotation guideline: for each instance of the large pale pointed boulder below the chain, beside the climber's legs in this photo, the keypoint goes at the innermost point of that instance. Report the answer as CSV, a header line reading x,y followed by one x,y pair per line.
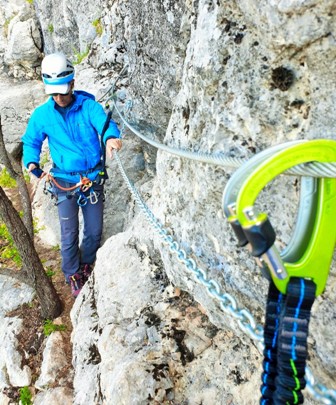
x,y
164,348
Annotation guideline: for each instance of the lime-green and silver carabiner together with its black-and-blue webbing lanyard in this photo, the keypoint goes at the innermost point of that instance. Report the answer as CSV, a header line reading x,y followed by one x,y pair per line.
x,y
299,274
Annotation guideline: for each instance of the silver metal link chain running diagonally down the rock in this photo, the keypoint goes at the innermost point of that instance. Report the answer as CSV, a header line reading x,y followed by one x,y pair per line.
x,y
227,302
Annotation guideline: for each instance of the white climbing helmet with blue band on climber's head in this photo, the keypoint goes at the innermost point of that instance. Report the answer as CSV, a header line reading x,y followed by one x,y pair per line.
x,y
57,73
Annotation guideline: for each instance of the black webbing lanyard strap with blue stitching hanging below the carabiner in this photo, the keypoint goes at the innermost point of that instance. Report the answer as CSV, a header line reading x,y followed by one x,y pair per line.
x,y
285,337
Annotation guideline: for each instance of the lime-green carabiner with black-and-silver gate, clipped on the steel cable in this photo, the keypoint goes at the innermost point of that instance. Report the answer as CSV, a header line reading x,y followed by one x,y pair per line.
x,y
314,261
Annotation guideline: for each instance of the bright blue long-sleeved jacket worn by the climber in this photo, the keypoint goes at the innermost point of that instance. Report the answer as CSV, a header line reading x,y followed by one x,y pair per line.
x,y
73,142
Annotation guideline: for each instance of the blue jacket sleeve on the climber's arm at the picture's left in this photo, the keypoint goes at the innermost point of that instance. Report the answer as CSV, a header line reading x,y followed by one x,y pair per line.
x,y
32,141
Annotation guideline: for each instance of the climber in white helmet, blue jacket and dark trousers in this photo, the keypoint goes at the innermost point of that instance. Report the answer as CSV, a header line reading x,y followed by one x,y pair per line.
x,y
71,121
